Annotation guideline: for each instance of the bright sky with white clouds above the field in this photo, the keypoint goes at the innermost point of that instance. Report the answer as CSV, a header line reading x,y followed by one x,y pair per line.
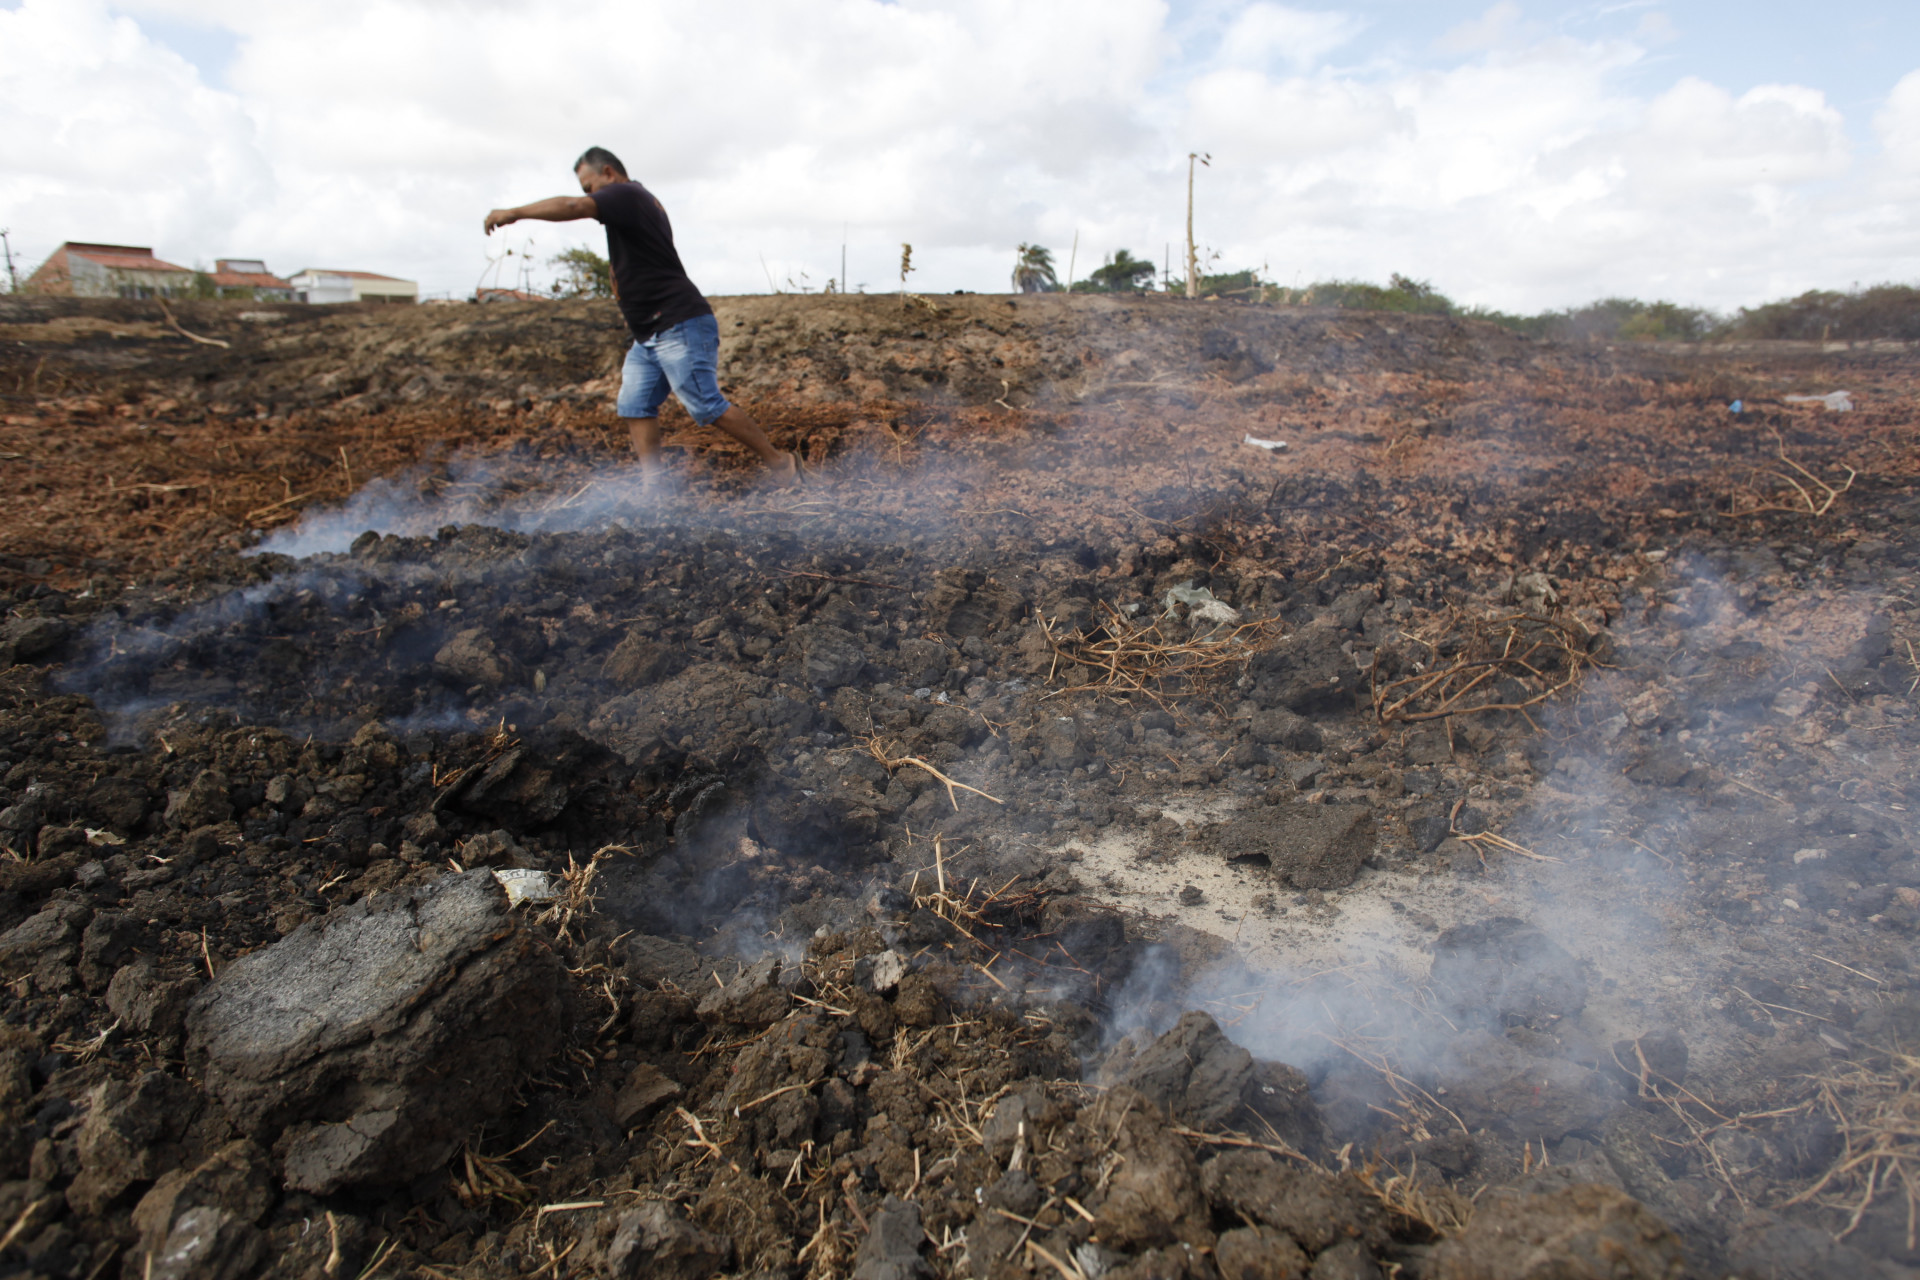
x,y
1525,154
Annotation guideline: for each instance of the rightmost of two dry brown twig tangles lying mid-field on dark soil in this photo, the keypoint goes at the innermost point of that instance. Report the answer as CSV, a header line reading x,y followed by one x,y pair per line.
x,y
1485,665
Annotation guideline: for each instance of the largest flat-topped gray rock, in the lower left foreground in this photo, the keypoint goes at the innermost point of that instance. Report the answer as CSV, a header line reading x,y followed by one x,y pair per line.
x,y
379,1035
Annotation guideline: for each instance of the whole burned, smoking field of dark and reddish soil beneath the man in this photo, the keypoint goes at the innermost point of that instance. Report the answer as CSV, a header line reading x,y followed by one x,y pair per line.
x,y
1059,840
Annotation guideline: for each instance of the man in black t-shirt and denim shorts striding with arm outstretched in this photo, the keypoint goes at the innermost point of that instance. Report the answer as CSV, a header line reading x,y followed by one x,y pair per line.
x,y
677,341
